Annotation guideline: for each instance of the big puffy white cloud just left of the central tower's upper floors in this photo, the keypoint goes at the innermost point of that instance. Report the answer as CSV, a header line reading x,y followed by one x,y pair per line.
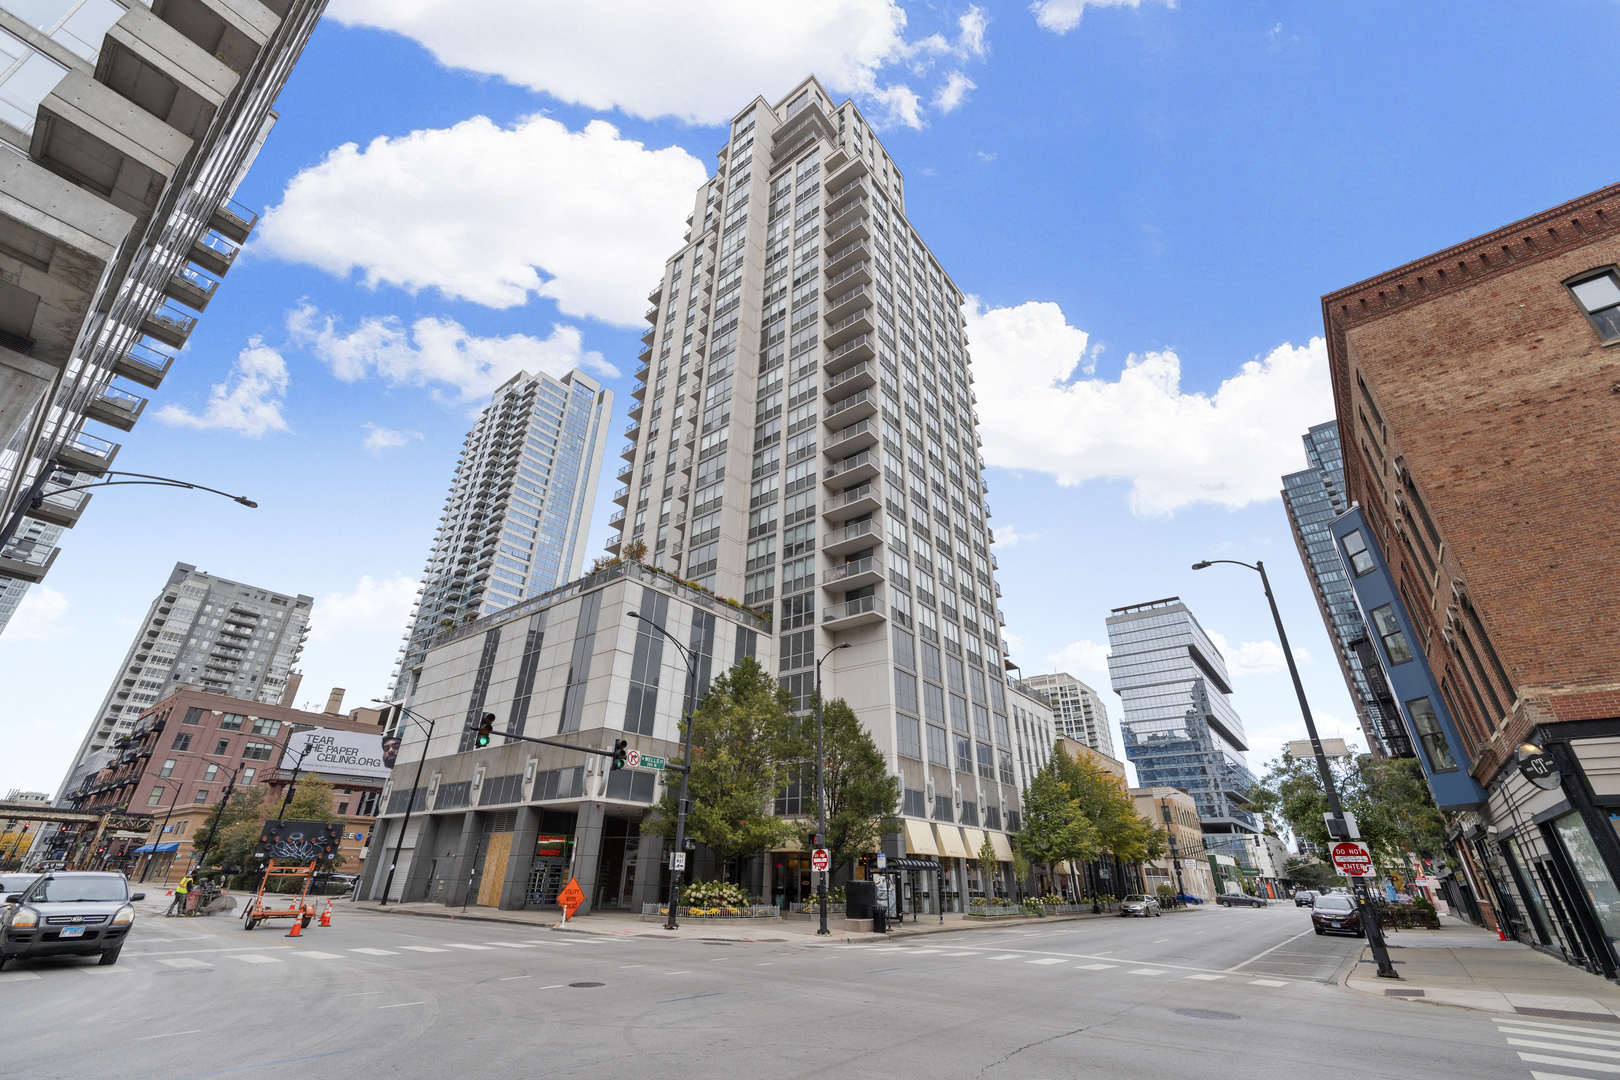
x,y
495,215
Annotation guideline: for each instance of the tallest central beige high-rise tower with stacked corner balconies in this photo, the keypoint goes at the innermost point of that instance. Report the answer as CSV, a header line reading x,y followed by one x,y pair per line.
x,y
806,441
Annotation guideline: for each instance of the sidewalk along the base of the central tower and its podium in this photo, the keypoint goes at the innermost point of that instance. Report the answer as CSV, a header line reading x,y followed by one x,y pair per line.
x,y
616,924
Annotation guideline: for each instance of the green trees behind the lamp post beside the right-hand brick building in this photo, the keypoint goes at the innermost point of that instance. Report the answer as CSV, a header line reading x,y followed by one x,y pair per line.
x,y
1391,799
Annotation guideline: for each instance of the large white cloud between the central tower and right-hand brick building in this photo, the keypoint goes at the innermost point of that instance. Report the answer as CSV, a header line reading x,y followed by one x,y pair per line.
x,y
1175,448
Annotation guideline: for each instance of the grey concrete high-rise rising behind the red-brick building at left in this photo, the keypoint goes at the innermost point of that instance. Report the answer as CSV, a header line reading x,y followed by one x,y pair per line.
x,y
203,632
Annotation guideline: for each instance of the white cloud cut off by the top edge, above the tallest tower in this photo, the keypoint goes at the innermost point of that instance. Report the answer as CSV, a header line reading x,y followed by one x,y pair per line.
x,y
696,62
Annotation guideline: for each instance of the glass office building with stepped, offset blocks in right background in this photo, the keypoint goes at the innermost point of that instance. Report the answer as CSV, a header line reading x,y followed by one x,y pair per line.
x,y
1179,726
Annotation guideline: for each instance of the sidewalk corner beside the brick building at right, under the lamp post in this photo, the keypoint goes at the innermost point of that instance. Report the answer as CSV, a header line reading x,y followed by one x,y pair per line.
x,y
1470,967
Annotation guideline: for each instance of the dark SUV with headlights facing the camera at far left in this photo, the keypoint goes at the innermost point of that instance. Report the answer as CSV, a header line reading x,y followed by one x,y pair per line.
x,y
69,914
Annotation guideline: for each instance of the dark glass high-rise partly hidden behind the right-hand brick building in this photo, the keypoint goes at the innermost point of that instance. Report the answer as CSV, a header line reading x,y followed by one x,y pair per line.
x,y
1313,498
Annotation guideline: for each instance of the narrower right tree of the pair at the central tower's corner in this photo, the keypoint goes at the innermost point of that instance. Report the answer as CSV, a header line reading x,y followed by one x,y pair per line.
x,y
863,797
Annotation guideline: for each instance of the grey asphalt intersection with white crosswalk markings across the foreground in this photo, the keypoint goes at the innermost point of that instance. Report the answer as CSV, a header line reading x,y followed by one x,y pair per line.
x,y
1206,993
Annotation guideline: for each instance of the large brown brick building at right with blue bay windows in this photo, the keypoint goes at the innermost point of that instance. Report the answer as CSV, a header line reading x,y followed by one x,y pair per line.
x,y
1478,399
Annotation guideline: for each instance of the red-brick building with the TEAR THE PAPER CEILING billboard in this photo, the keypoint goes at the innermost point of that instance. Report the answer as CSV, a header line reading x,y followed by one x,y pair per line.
x,y
184,750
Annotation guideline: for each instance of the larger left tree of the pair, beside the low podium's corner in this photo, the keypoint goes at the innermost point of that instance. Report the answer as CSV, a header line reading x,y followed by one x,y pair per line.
x,y
743,747
